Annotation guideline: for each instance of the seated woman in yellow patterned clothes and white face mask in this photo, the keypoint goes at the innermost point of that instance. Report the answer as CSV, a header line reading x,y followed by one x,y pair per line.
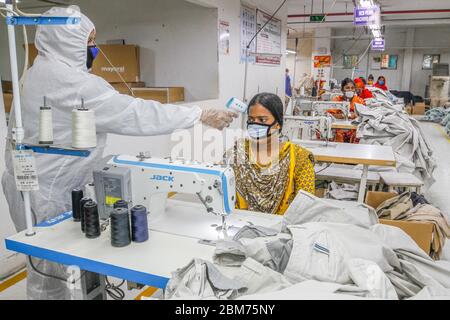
x,y
269,171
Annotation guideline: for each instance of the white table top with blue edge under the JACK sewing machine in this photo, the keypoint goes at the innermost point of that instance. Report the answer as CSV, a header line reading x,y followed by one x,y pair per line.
x,y
149,263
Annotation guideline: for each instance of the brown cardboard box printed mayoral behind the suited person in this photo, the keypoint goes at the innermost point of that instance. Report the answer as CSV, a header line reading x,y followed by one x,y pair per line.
x,y
125,58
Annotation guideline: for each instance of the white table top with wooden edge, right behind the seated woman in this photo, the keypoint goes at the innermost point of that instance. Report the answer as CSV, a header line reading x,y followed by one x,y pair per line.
x,y
349,153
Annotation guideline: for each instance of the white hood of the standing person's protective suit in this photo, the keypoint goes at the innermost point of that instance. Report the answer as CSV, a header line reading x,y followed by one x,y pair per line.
x,y
65,43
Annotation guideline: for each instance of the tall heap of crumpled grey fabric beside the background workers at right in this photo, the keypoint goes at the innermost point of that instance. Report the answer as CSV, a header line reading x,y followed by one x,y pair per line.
x,y
382,126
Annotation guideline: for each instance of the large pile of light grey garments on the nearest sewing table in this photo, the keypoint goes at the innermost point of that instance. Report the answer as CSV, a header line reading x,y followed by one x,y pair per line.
x,y
321,249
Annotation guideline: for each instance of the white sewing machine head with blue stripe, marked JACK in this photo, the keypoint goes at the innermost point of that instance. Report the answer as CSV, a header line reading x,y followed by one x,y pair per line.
x,y
147,181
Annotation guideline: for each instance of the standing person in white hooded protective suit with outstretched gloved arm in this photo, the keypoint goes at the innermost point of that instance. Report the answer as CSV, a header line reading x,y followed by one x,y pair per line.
x,y
60,73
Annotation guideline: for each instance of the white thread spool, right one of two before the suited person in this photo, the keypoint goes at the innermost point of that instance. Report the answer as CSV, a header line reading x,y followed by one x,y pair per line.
x,y
84,134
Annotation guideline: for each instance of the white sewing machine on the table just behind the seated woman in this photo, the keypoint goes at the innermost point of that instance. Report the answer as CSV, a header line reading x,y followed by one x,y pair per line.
x,y
306,128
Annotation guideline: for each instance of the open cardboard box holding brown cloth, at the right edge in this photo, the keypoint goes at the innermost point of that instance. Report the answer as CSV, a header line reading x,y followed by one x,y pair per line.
x,y
420,232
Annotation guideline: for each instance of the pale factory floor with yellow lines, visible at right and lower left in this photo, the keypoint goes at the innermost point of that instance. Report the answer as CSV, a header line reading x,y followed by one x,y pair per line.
x,y
14,288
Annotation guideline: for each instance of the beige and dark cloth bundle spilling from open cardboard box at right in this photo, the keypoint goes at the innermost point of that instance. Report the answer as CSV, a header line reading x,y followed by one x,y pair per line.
x,y
413,207
